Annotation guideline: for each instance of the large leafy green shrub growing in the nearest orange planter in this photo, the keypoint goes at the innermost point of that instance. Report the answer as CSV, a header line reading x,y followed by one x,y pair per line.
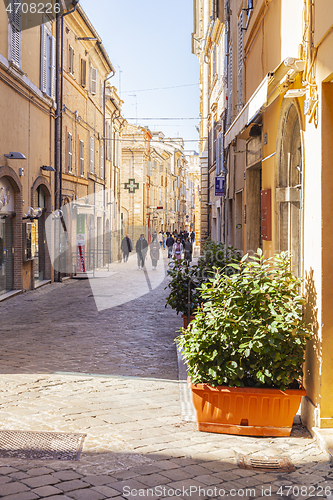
x,y
249,330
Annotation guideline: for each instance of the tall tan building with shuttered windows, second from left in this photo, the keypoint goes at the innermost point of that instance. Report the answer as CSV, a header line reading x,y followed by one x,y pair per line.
x,y
90,147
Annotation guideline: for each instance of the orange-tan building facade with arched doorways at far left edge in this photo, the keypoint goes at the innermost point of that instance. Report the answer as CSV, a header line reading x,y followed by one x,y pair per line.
x,y
27,103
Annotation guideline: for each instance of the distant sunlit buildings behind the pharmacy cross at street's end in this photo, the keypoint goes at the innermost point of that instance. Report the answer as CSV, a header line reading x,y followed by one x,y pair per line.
x,y
153,182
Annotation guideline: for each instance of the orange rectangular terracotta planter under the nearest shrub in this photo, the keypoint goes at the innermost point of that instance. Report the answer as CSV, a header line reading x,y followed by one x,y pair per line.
x,y
245,411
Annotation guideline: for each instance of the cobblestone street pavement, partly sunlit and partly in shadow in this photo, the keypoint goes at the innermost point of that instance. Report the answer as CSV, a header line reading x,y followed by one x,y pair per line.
x,y
113,376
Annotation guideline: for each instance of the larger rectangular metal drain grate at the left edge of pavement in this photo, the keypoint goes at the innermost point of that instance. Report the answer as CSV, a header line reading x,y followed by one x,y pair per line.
x,y
40,445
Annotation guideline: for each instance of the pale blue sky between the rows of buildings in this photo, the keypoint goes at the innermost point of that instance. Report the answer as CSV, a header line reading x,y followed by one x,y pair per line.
x,y
150,43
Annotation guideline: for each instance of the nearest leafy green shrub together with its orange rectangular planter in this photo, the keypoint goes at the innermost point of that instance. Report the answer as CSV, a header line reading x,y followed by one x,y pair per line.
x,y
245,349
